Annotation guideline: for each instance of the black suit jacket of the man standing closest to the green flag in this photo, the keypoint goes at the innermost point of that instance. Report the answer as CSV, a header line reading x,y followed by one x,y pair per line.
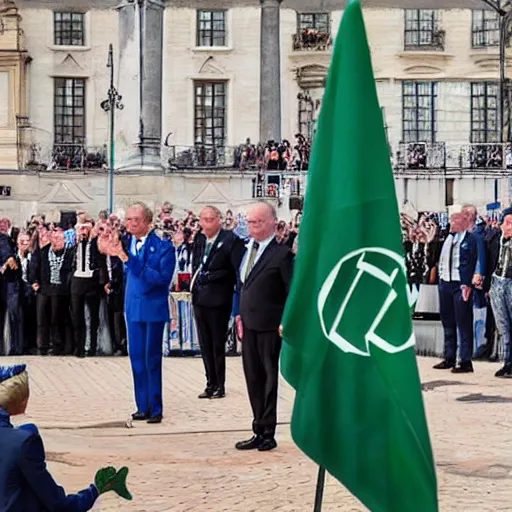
x,y
261,299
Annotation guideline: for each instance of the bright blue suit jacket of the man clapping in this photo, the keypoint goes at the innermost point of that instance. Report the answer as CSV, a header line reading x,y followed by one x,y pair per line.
x,y
148,280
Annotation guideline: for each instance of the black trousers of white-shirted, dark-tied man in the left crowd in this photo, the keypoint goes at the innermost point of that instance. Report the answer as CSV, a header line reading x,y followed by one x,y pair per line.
x,y
78,301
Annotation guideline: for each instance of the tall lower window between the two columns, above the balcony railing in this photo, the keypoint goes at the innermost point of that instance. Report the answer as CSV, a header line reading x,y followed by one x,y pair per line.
x,y
210,114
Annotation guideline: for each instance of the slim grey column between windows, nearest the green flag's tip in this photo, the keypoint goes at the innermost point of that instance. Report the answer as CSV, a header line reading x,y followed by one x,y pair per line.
x,y
270,71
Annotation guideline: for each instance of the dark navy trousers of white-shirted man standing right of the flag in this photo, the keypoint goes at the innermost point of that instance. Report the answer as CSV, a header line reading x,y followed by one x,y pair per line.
x,y
457,319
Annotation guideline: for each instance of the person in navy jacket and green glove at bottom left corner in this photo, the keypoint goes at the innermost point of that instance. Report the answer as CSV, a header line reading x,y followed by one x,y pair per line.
x,y
25,483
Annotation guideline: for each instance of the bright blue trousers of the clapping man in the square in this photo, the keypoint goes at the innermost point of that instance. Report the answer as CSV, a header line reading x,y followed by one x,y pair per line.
x,y
145,350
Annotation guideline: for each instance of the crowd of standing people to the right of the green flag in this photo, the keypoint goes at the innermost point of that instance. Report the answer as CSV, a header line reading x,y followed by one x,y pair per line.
x,y
469,259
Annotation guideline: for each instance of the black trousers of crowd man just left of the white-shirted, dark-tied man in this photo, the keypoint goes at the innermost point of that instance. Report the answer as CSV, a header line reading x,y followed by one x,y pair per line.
x,y
52,311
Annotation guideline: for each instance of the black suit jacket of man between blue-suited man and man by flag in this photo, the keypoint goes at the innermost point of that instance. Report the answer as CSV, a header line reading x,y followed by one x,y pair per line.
x,y
215,282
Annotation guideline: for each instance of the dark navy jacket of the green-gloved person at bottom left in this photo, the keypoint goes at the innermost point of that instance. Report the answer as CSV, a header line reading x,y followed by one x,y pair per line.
x,y
25,483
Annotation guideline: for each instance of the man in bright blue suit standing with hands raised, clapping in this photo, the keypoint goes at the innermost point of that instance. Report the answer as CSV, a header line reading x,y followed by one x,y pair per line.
x,y
149,263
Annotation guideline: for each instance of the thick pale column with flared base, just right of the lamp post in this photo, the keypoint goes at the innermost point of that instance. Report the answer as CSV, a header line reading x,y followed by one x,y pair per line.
x,y
149,19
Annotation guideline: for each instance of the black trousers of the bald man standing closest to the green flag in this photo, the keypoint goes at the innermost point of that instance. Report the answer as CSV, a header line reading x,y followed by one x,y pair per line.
x,y
260,357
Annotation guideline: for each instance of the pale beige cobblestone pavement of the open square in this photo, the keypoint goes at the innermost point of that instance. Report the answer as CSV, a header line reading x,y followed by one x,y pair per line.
x,y
188,463
